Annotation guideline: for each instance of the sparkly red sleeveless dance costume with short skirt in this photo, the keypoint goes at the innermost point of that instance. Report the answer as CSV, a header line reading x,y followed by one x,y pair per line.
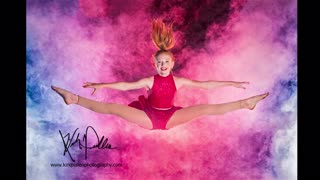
x,y
161,97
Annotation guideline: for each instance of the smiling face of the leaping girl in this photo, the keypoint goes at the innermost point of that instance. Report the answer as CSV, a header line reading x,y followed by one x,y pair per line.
x,y
164,64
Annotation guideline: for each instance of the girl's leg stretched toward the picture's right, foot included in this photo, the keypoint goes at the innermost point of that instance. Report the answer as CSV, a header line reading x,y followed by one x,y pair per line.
x,y
187,114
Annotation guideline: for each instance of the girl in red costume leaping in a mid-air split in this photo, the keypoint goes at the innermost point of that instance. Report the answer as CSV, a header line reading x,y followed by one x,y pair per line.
x,y
157,111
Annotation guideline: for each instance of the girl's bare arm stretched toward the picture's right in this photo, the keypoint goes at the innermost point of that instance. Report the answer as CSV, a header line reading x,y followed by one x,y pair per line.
x,y
208,84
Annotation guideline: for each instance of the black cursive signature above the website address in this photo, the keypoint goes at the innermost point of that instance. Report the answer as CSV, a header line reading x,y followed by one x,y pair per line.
x,y
74,139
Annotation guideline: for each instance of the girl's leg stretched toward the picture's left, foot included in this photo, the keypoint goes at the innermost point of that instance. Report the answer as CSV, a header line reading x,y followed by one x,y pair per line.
x,y
128,113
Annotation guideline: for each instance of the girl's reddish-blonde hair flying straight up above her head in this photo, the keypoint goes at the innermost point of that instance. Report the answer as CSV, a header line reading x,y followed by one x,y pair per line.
x,y
162,37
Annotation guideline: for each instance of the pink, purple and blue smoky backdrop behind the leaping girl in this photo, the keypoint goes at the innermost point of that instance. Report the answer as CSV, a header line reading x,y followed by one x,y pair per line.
x,y
108,41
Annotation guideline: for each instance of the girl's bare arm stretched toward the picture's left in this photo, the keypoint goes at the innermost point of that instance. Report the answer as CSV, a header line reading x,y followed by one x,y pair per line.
x,y
123,86
